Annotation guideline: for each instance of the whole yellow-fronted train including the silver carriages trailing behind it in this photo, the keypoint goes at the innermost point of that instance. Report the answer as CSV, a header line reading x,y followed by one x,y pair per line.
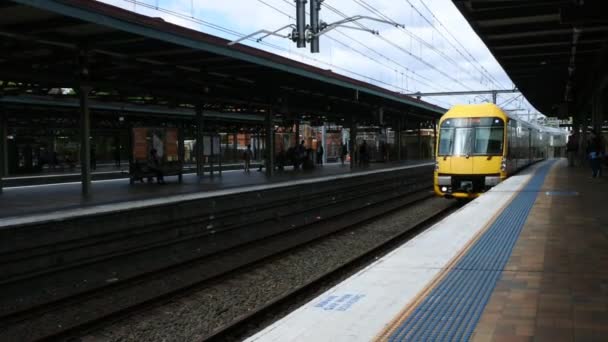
x,y
480,145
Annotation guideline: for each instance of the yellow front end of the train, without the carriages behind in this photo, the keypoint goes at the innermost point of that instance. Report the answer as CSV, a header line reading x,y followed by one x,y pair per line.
x,y
470,154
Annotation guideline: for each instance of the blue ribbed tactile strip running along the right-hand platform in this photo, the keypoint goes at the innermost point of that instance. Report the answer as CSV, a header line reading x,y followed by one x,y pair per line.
x,y
452,309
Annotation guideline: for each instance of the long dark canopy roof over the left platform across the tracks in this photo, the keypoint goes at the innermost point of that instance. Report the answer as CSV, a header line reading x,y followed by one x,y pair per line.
x,y
141,60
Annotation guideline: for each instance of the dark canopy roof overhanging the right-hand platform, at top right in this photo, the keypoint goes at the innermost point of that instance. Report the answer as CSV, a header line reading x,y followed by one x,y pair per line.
x,y
553,50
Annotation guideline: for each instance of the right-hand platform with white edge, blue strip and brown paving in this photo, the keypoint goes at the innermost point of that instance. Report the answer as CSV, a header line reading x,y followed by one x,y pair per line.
x,y
527,261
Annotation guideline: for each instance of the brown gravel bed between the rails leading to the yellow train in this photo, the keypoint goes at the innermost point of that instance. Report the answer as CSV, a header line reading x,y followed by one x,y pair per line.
x,y
195,315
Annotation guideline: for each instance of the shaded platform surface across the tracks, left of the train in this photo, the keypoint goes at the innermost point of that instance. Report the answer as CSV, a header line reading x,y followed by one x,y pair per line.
x,y
25,201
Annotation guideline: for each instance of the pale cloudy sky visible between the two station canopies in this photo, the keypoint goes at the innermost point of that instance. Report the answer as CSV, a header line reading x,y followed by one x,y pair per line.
x,y
437,51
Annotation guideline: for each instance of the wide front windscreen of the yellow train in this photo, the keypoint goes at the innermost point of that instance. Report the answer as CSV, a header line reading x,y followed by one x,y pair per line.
x,y
471,136
